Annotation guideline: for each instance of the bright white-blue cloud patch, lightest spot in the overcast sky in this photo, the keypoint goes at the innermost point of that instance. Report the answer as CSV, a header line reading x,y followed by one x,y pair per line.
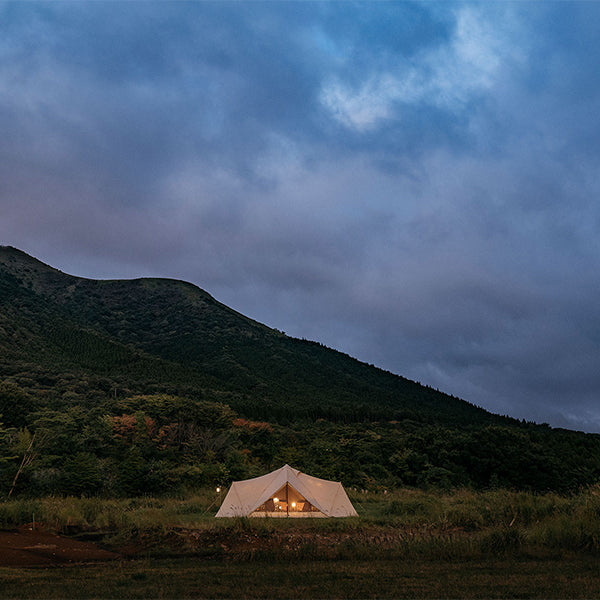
x,y
447,75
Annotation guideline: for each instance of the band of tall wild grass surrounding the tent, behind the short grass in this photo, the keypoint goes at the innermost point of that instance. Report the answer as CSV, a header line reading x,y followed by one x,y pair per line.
x,y
403,524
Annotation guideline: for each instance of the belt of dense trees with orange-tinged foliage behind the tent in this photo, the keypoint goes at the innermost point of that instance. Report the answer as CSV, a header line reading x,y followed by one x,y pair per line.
x,y
158,443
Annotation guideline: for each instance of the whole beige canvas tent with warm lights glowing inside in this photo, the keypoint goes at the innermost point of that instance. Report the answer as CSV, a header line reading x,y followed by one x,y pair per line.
x,y
286,493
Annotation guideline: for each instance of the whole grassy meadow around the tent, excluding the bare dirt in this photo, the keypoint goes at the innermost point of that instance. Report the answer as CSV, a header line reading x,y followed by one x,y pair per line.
x,y
405,543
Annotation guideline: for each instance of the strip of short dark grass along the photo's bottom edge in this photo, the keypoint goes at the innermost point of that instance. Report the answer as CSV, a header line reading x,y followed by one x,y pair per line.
x,y
190,578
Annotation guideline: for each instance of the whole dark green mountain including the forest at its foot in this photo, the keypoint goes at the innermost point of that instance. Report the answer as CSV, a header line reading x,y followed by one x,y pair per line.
x,y
152,386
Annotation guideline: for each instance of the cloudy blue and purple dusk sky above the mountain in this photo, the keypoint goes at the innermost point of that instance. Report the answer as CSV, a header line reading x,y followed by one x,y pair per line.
x,y
414,184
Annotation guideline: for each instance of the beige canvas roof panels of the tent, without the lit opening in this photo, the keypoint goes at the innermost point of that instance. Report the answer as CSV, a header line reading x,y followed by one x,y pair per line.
x,y
244,497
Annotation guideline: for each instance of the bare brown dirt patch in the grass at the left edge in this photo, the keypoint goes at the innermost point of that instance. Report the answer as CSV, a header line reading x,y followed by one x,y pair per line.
x,y
33,547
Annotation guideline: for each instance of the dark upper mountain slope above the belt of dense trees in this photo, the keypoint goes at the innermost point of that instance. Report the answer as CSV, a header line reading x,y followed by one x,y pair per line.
x,y
166,335
